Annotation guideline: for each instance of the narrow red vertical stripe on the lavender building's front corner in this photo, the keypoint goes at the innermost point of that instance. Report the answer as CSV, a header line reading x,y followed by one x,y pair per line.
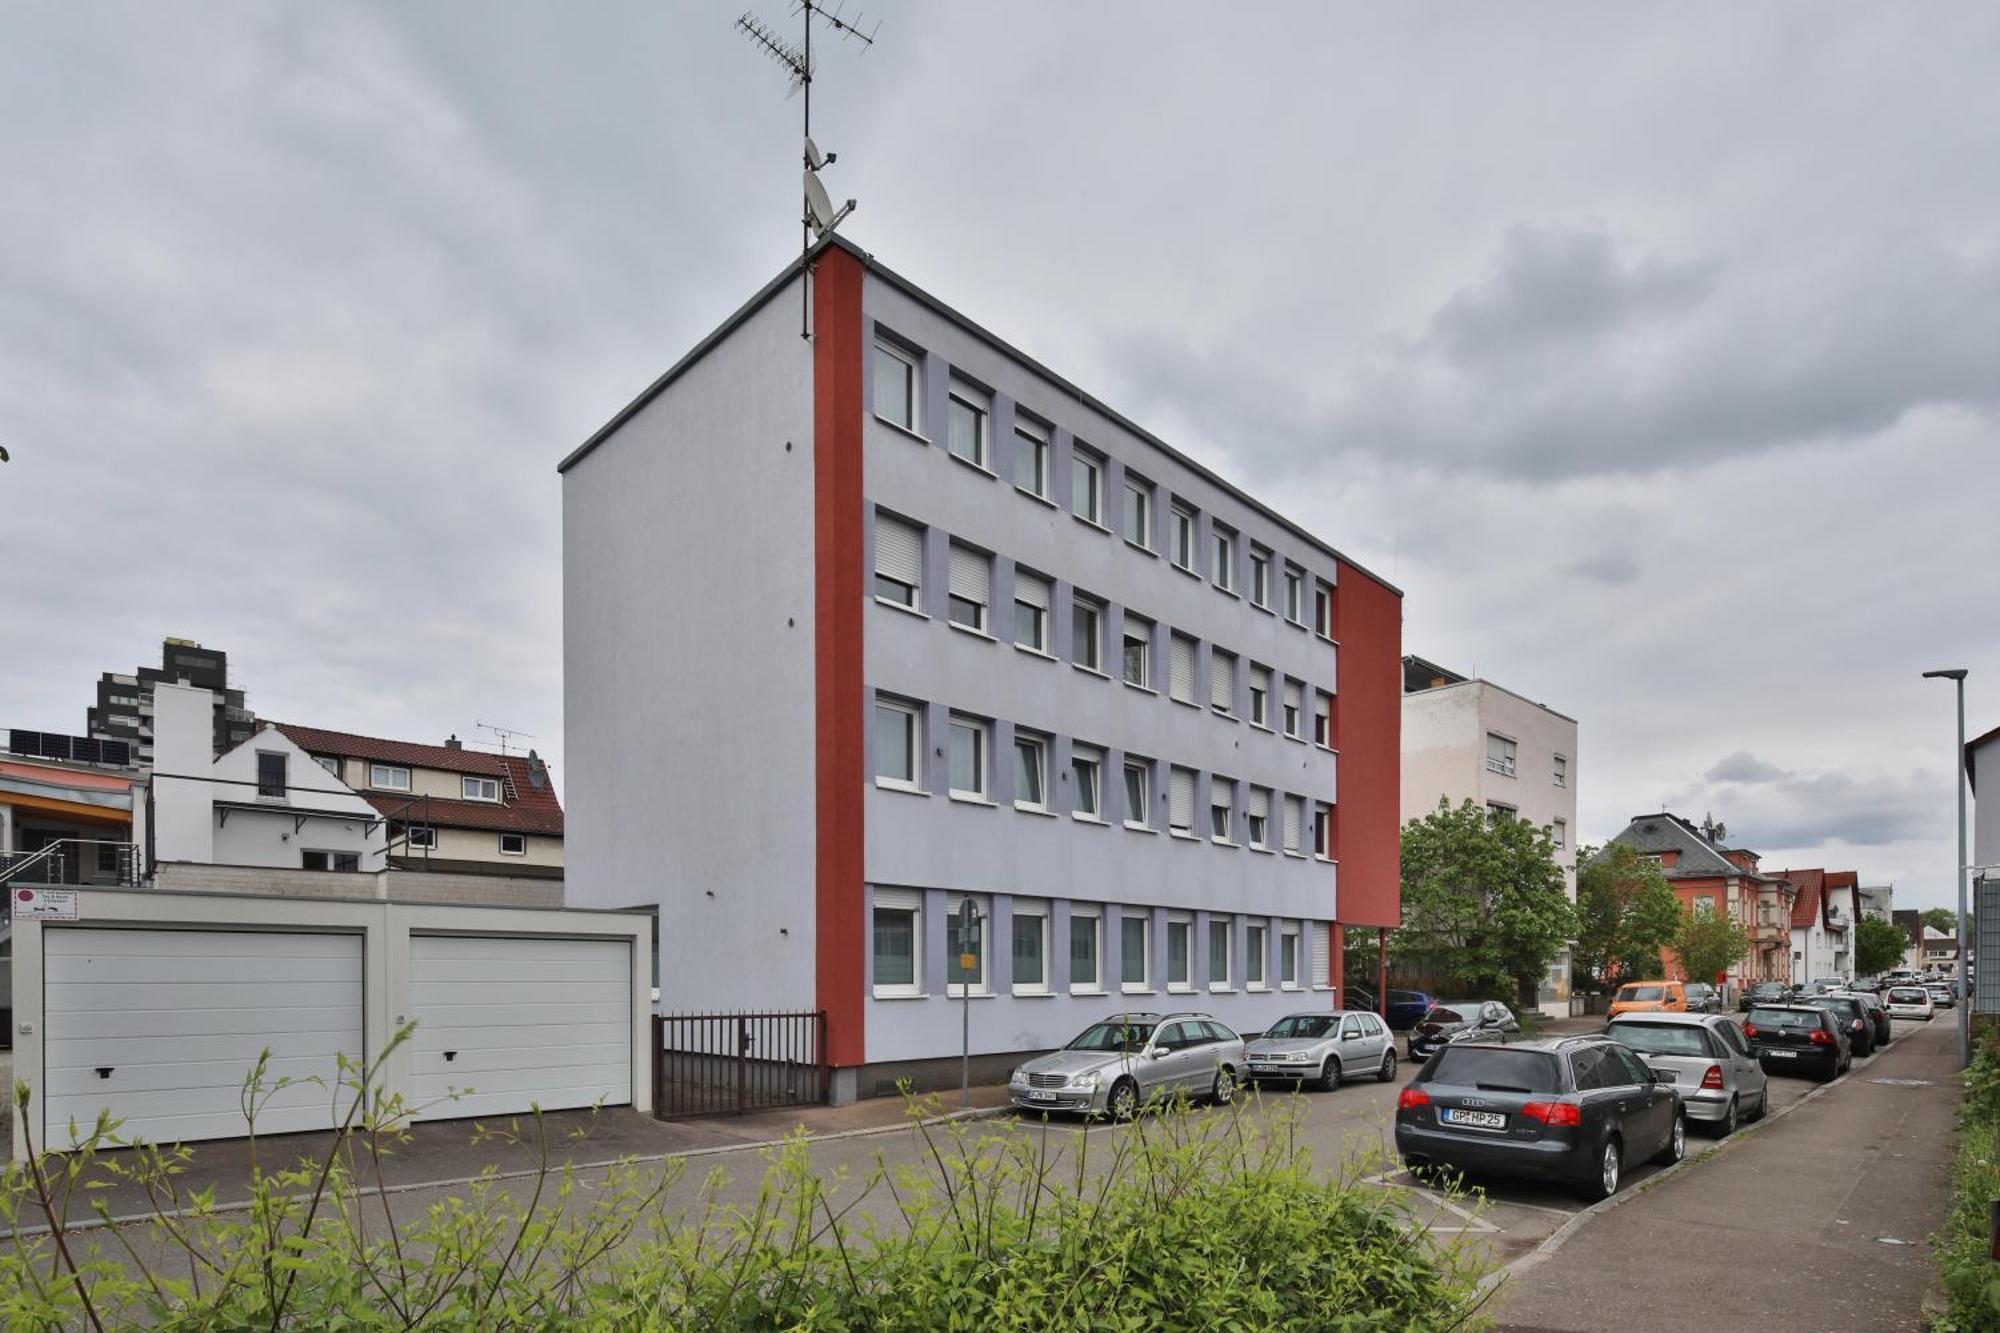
x,y
841,575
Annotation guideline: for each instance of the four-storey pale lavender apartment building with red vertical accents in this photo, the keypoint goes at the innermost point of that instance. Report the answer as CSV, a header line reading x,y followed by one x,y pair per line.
x,y
865,627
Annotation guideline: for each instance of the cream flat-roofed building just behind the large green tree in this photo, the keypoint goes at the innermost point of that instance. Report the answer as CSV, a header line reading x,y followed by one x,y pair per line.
x,y
1467,740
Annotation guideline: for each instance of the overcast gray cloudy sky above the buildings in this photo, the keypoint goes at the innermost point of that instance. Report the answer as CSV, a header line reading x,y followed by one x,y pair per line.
x,y
1655,353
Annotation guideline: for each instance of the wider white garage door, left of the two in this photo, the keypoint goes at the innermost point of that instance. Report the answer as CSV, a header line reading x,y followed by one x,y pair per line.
x,y
161,1028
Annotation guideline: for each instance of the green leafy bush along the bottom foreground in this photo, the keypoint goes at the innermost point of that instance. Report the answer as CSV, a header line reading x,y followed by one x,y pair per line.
x,y
1183,1222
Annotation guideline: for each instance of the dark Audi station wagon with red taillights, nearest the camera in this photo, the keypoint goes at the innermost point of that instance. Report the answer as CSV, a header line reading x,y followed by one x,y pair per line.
x,y
1573,1110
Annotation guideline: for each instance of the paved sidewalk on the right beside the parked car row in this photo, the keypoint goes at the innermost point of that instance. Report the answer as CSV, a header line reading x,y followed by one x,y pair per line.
x,y
1811,1224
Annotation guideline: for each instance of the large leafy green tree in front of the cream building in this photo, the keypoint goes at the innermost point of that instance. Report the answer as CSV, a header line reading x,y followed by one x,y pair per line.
x,y
1483,902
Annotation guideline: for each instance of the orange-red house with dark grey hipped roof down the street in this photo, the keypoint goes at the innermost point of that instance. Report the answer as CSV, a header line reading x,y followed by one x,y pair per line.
x,y
1709,876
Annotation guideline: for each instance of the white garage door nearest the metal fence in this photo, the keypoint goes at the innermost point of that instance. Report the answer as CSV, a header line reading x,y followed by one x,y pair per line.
x,y
519,1022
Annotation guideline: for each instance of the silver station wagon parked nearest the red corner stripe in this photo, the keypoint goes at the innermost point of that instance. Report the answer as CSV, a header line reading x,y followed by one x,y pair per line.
x,y
1129,1060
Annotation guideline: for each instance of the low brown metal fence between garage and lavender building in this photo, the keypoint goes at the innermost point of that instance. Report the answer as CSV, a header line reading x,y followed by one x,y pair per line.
x,y
731,1064
